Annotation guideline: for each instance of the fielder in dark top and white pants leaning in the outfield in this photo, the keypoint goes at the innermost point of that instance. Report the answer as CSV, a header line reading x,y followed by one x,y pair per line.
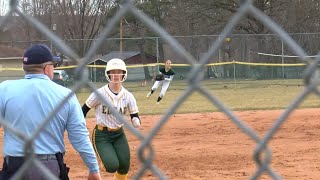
x,y
168,73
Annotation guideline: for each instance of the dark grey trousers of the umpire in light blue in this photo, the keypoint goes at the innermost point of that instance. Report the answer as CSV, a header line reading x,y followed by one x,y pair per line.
x,y
12,164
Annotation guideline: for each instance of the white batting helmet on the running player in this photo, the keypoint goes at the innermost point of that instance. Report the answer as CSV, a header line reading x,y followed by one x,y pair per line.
x,y
116,64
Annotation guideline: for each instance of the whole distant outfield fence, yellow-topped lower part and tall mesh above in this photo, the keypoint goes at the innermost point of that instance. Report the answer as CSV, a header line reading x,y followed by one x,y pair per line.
x,y
249,56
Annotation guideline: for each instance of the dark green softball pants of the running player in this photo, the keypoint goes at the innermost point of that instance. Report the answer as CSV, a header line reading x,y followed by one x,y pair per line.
x,y
113,150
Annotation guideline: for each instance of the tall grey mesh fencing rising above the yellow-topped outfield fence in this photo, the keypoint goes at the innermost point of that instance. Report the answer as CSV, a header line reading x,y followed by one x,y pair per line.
x,y
258,48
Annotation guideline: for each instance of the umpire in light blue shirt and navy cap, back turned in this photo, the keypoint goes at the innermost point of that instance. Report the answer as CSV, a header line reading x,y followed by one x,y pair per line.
x,y
25,104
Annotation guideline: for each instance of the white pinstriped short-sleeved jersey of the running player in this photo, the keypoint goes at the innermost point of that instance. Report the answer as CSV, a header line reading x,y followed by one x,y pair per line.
x,y
124,102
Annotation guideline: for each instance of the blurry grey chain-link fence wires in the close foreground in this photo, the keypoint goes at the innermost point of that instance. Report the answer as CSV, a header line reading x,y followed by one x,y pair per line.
x,y
262,152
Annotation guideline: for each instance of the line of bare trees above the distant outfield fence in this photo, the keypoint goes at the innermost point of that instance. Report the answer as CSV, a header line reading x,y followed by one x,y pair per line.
x,y
85,19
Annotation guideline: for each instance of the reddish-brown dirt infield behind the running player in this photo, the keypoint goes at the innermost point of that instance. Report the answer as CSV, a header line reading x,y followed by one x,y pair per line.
x,y
210,146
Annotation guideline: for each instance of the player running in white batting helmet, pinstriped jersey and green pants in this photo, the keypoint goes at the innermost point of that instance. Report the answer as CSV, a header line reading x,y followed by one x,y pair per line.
x,y
108,137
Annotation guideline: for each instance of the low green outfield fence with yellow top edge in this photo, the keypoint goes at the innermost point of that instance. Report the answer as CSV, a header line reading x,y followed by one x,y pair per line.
x,y
235,70
